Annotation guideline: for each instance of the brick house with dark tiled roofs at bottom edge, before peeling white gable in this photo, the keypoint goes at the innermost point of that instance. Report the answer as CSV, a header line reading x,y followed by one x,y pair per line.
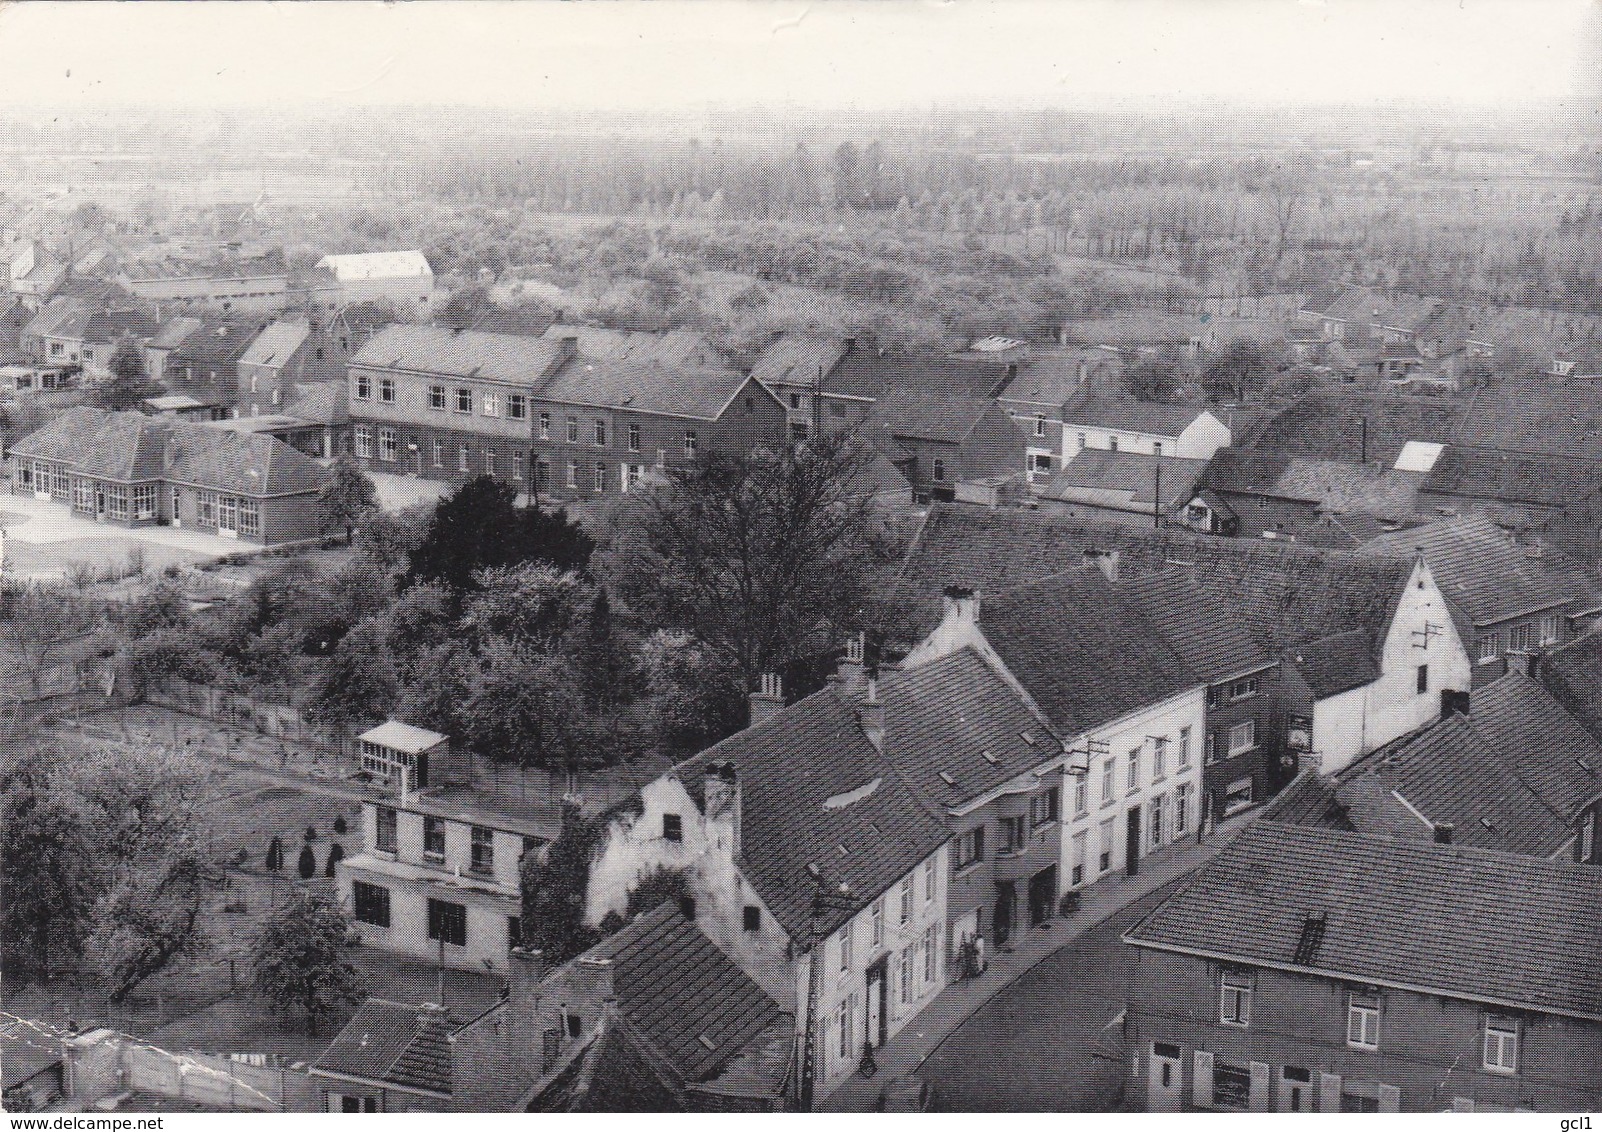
x,y
653,1019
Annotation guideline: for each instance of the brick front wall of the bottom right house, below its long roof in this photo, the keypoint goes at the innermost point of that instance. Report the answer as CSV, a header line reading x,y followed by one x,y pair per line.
x,y
1431,1048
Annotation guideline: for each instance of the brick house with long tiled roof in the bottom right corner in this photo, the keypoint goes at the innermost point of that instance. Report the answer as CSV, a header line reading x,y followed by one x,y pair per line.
x,y
1313,969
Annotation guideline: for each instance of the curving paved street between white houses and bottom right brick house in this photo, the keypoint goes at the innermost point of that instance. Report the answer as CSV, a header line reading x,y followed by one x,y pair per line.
x,y
1050,1030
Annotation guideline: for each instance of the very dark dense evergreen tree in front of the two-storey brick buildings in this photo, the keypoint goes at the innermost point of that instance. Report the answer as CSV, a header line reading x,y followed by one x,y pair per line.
x,y
480,526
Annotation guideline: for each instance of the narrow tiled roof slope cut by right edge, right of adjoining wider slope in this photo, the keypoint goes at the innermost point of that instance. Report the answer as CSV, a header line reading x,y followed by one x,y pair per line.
x,y
1545,745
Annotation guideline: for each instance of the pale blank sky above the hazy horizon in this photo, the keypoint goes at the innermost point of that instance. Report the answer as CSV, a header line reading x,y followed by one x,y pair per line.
x,y
622,55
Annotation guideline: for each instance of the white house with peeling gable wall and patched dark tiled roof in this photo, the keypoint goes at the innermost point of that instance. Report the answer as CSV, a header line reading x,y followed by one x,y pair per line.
x,y
810,862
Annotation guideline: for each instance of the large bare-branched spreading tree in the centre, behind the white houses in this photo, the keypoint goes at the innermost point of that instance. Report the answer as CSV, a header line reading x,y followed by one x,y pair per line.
x,y
763,558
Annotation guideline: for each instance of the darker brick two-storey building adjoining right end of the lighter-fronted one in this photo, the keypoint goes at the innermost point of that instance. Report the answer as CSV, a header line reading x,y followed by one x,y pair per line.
x,y
602,427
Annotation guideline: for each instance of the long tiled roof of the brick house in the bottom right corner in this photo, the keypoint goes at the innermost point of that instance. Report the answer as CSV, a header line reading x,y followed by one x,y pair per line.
x,y
1446,920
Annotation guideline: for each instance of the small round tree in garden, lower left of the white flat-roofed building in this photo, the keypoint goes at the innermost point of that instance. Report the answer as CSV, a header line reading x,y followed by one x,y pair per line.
x,y
300,960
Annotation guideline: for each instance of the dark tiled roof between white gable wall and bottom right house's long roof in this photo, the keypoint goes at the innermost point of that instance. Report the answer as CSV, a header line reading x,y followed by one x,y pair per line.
x,y
1447,773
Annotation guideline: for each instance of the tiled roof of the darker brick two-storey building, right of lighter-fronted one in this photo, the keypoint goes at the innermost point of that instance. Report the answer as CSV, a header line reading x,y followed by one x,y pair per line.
x,y
699,395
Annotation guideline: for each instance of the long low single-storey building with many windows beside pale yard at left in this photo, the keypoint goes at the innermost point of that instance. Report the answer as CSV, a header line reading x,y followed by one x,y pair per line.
x,y
140,472
